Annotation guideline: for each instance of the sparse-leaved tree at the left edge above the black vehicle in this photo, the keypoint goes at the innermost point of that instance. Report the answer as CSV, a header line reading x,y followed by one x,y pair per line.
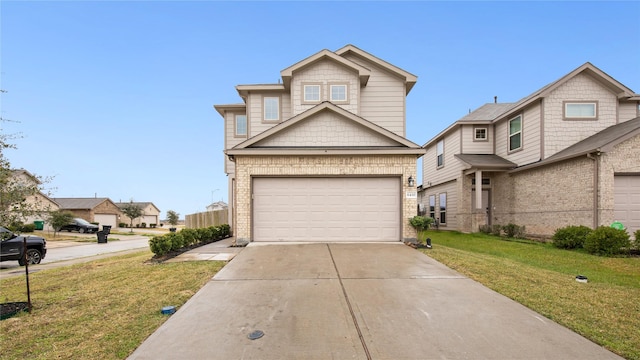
x,y
18,194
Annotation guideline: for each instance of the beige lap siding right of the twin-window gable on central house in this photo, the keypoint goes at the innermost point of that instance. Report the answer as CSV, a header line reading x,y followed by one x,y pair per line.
x,y
383,99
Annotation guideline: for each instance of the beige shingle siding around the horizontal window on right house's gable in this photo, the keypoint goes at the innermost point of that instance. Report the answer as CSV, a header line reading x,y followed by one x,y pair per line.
x,y
559,133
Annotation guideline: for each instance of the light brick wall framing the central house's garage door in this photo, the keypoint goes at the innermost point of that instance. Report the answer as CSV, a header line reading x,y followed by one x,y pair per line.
x,y
348,165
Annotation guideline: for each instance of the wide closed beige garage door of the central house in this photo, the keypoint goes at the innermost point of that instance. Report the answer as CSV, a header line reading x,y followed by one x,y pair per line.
x,y
326,209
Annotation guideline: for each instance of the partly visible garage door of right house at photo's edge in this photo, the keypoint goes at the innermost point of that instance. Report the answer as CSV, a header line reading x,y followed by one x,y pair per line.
x,y
627,201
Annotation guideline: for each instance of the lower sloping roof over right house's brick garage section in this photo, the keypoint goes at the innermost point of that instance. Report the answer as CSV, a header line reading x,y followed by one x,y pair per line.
x,y
603,141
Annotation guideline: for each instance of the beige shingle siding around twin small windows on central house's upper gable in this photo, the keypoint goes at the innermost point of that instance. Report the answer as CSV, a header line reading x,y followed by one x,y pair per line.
x,y
324,73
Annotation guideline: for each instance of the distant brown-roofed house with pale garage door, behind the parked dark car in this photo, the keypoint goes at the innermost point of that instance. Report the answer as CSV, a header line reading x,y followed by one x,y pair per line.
x,y
100,210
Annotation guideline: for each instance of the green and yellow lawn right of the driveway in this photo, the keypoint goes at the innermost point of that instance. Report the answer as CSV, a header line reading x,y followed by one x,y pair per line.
x,y
605,310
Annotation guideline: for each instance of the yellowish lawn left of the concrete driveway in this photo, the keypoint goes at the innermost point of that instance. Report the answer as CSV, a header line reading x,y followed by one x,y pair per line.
x,y
102,309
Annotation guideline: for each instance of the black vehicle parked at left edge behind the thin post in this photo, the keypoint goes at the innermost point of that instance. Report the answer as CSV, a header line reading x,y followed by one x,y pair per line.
x,y
12,247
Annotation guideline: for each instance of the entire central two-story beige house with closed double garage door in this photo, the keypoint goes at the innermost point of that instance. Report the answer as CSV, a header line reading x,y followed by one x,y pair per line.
x,y
322,155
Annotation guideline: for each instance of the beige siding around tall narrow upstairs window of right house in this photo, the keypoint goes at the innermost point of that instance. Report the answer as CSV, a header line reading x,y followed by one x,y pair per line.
x,y
530,151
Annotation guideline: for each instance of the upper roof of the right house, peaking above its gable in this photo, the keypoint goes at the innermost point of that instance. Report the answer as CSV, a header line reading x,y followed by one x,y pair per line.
x,y
493,112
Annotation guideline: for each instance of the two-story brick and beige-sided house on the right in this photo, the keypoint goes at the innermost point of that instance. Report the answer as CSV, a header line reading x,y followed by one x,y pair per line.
x,y
568,154
